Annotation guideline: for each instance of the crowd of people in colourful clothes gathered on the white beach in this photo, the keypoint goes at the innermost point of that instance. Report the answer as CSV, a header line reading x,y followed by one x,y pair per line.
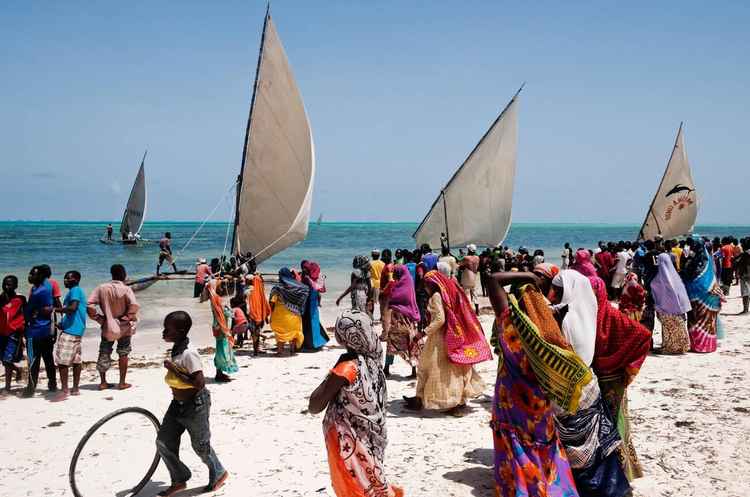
x,y
569,339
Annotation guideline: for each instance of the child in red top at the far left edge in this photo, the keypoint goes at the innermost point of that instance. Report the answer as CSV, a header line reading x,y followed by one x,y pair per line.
x,y
12,324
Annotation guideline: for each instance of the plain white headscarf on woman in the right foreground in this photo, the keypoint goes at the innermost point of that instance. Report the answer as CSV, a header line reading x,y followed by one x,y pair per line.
x,y
579,324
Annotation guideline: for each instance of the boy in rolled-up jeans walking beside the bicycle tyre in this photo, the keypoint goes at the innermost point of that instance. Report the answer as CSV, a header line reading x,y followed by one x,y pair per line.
x,y
189,410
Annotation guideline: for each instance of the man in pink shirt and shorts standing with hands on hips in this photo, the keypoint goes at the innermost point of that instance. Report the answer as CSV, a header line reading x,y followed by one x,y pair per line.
x,y
114,307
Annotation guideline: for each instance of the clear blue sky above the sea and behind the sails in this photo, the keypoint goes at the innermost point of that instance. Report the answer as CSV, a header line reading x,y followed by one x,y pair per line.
x,y
398,94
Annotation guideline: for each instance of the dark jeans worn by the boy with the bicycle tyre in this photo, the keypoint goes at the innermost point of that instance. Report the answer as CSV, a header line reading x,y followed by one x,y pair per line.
x,y
191,415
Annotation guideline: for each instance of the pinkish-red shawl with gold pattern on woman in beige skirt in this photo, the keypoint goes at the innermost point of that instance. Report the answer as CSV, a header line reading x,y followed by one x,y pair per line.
x,y
465,342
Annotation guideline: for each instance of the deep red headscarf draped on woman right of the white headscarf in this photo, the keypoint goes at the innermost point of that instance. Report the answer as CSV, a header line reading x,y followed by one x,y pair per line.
x,y
621,343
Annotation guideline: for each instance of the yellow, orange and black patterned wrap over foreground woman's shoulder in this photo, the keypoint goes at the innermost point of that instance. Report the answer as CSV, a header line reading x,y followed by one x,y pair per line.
x,y
559,371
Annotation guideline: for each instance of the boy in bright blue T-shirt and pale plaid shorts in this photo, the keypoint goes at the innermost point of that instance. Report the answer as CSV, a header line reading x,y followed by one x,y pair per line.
x,y
71,326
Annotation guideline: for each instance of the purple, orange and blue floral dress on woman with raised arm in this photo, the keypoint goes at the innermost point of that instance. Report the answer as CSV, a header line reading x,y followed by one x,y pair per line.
x,y
529,460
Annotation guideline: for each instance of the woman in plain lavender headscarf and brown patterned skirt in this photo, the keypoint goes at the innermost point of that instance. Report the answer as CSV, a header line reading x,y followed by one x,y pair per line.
x,y
671,304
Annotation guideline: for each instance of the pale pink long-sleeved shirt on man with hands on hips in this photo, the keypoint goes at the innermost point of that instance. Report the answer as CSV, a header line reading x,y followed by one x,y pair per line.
x,y
118,309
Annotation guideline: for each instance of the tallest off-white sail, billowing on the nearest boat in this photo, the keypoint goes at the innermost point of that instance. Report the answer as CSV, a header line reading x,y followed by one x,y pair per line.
x,y
278,167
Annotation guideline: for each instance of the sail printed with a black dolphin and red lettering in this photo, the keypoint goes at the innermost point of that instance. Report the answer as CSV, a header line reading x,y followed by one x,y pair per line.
x,y
675,206
